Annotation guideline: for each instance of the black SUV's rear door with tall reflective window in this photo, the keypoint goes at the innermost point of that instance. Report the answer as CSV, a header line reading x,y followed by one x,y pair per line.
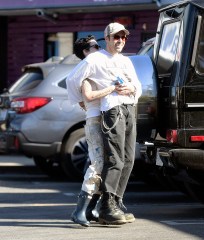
x,y
167,66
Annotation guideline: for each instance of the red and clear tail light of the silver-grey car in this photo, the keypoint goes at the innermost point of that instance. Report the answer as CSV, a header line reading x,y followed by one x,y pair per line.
x,y
29,104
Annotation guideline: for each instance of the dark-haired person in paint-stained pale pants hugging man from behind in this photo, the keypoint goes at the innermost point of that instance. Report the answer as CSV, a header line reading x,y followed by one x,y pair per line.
x,y
85,210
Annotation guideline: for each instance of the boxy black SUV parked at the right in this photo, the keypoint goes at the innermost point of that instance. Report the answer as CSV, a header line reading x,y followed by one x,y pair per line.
x,y
176,142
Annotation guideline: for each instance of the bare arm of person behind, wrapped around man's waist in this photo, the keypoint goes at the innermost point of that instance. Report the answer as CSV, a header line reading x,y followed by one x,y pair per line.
x,y
91,95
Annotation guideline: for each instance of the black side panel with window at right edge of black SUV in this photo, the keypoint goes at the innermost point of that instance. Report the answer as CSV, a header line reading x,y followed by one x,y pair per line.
x,y
194,86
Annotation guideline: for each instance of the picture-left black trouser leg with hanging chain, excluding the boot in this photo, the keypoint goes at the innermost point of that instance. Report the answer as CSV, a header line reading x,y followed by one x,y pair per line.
x,y
114,149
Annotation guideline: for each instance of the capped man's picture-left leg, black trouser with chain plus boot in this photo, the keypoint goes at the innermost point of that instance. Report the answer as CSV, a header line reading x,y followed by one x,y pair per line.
x,y
113,123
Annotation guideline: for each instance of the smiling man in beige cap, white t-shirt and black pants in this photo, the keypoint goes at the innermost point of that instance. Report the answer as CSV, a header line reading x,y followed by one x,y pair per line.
x,y
110,68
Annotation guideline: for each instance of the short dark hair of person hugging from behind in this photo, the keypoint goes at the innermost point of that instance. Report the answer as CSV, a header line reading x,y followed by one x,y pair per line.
x,y
82,44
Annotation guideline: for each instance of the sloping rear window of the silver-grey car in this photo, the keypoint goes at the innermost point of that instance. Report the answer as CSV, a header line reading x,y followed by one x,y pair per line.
x,y
29,80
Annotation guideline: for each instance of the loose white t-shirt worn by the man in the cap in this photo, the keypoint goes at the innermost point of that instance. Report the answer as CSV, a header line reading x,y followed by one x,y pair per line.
x,y
104,68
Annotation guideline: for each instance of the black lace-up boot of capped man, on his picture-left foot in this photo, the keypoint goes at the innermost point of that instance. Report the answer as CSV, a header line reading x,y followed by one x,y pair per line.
x,y
109,213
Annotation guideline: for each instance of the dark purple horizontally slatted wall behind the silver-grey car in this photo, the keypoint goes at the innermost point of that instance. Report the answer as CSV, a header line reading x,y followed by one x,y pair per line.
x,y
26,34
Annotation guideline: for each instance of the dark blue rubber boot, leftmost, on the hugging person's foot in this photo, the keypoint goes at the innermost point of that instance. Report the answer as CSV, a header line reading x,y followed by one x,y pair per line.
x,y
79,214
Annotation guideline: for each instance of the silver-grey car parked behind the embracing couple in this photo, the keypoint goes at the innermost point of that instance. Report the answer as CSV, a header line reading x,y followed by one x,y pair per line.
x,y
37,119
